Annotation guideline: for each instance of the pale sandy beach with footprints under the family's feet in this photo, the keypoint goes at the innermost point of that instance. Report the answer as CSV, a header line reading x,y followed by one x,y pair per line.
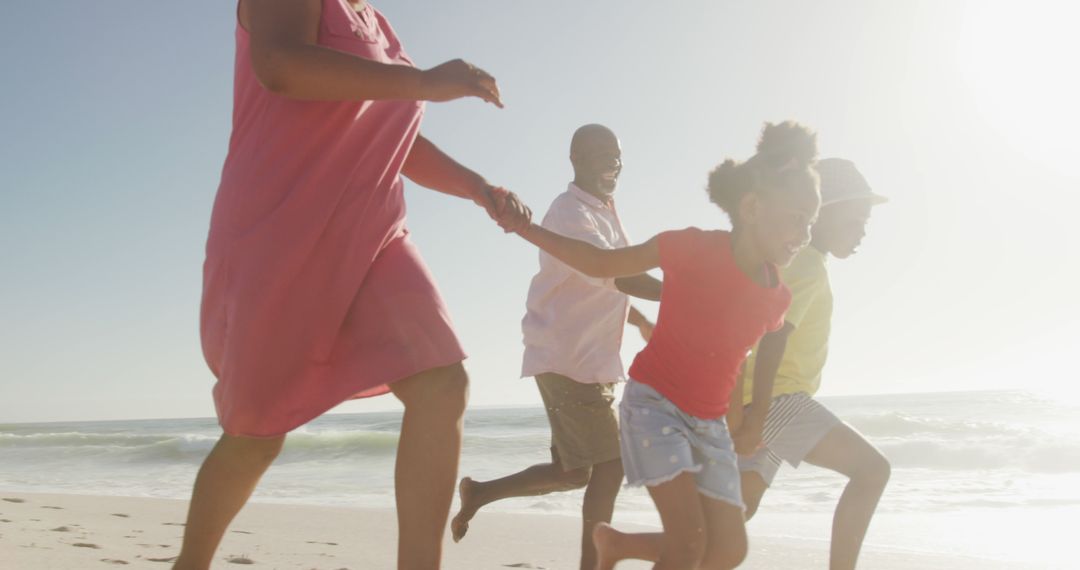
x,y
70,532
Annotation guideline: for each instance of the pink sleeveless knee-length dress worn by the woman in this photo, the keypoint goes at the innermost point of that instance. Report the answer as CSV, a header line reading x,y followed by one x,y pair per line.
x,y
313,292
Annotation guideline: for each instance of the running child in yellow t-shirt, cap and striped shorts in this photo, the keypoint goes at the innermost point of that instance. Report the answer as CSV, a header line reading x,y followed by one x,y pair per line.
x,y
782,420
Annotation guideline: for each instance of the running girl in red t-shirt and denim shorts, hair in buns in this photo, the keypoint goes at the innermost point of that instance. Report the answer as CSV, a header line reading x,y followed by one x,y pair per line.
x,y
721,294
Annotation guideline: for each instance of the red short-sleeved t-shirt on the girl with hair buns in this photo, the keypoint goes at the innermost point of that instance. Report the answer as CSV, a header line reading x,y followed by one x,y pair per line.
x,y
711,316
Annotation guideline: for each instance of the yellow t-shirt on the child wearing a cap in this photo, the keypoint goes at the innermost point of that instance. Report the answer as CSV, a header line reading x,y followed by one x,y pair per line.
x,y
811,314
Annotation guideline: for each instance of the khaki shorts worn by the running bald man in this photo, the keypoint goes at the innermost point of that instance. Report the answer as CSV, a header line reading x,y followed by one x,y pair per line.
x,y
585,426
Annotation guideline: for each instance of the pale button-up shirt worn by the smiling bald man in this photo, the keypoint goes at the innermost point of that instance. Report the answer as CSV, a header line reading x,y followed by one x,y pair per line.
x,y
574,323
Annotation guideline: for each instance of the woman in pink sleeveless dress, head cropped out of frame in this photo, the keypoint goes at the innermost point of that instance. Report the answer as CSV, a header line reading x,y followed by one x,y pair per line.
x,y
313,292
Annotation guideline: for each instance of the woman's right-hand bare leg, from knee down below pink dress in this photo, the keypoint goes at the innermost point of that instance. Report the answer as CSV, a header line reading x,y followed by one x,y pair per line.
x,y
428,454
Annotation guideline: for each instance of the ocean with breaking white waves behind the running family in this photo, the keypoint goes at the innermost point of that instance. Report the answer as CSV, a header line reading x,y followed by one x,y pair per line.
x,y
994,474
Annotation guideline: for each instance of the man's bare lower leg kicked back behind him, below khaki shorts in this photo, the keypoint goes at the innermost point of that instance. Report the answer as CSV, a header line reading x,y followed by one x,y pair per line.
x,y
543,479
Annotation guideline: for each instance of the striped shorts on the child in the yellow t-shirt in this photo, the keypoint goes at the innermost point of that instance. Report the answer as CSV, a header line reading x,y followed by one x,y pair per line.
x,y
795,424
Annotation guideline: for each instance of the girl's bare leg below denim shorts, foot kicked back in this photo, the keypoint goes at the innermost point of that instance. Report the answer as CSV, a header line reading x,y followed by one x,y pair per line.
x,y
681,547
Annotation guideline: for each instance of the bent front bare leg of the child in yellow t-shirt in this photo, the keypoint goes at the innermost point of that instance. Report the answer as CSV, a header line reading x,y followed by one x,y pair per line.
x,y
846,452
